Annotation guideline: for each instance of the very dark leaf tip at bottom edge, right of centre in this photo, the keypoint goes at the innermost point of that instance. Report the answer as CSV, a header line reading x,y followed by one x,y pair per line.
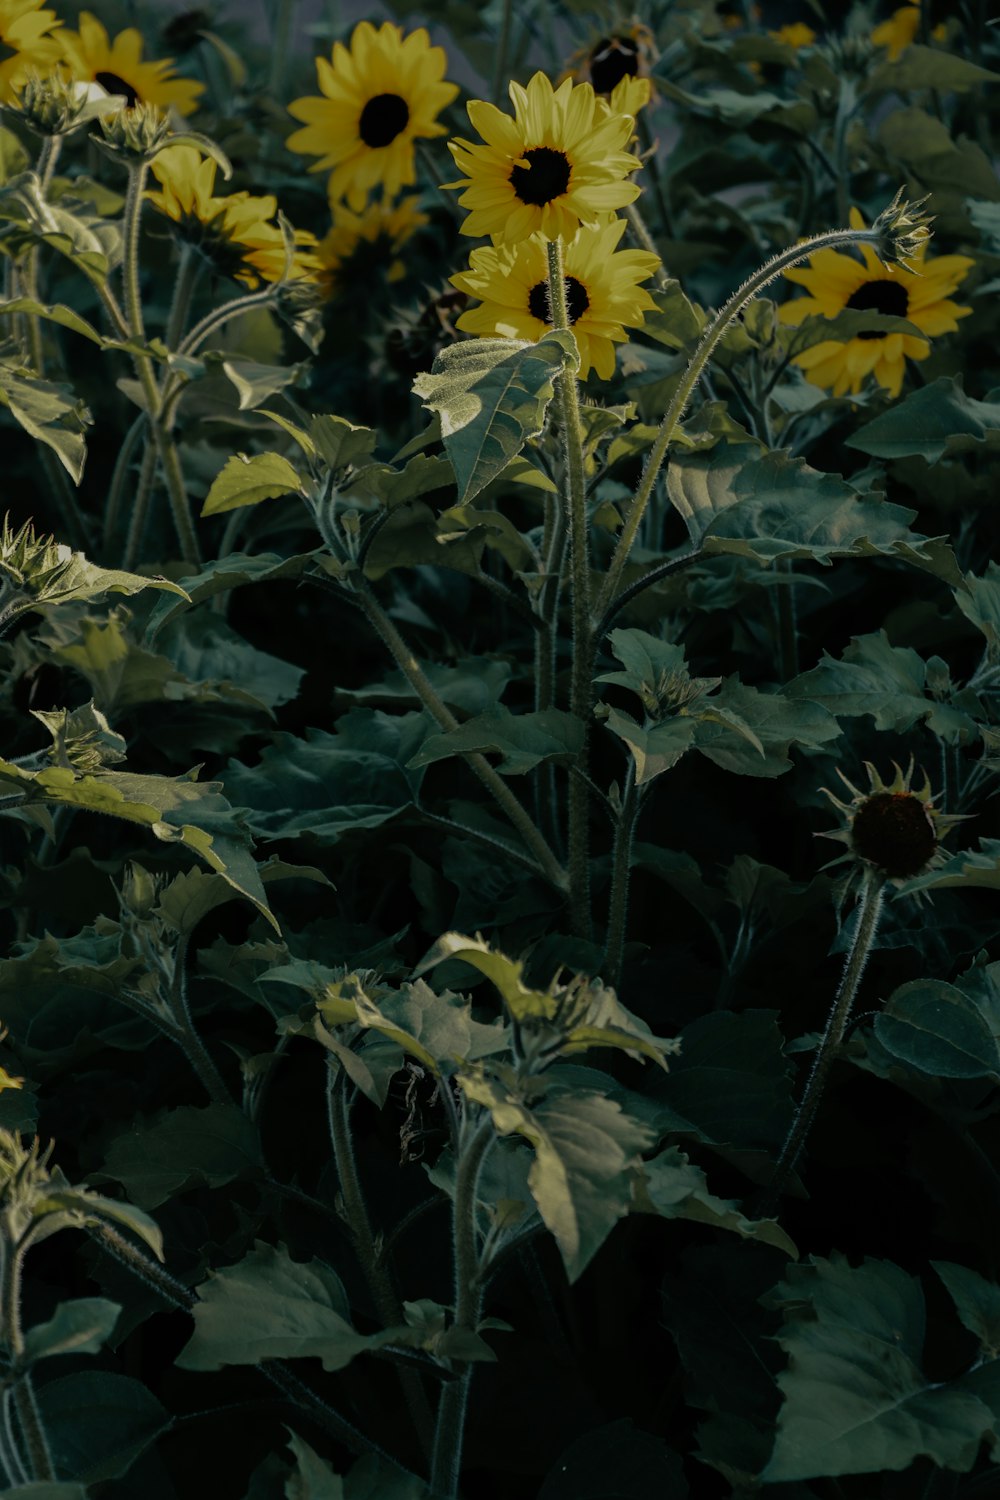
x,y
617,1462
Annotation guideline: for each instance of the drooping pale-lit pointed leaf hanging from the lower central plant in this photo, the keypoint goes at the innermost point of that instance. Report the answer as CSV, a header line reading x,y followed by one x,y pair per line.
x,y
587,1150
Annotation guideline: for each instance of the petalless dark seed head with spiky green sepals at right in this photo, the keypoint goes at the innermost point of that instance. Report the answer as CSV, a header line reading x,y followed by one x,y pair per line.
x,y
891,829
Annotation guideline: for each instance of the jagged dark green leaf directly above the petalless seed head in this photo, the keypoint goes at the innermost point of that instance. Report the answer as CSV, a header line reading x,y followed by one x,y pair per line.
x,y
890,683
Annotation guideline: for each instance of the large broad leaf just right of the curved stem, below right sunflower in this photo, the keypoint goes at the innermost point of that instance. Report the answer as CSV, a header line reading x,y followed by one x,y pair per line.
x,y
767,506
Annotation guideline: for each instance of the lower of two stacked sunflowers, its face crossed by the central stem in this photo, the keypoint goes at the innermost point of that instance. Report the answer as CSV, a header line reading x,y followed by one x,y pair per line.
x,y
602,283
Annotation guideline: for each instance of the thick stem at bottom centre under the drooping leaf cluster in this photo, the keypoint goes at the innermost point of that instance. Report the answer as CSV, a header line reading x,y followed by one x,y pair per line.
x,y
469,1300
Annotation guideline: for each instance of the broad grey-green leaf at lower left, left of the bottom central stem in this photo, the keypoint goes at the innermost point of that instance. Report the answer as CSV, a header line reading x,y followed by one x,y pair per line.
x,y
271,1307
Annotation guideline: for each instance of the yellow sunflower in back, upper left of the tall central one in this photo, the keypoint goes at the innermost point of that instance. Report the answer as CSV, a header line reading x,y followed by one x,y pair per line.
x,y
379,97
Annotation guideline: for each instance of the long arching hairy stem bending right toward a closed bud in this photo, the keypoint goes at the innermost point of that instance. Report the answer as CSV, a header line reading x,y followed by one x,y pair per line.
x,y
707,346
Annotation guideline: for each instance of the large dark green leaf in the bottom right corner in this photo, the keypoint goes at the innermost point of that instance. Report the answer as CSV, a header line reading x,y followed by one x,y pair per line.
x,y
855,1396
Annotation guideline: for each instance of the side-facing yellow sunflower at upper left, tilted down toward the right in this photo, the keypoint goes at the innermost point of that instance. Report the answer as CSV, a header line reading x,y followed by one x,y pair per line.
x,y
233,233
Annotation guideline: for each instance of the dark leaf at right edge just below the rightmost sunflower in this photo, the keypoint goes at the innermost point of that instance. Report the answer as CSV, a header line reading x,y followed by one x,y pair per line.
x,y
935,422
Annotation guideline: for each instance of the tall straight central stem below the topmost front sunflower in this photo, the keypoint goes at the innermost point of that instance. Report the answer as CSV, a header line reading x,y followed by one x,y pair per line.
x,y
578,802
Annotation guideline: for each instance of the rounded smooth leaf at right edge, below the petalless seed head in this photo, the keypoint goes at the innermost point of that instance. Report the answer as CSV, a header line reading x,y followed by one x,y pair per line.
x,y
935,1028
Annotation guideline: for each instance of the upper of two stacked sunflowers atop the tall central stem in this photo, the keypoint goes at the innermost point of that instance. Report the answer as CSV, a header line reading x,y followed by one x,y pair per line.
x,y
558,164
